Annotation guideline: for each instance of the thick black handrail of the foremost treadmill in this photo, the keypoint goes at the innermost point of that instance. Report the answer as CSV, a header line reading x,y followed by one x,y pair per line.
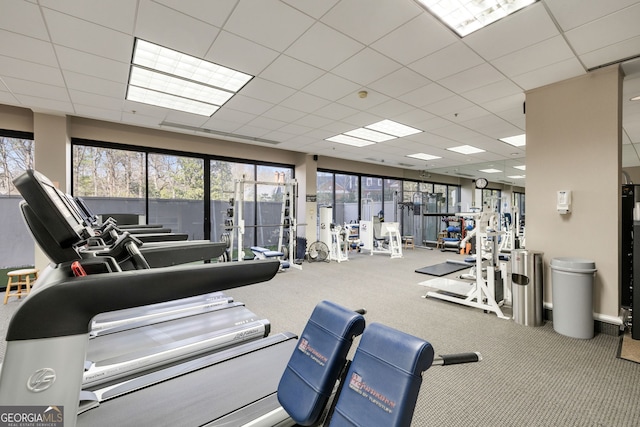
x,y
66,307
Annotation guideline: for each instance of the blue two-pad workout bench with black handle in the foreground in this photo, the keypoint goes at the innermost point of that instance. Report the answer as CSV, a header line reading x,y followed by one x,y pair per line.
x,y
379,388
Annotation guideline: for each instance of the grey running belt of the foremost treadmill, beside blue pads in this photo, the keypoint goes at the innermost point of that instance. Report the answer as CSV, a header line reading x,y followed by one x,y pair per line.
x,y
198,397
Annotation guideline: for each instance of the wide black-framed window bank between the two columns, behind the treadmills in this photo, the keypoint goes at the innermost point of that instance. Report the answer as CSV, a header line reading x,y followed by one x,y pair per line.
x,y
188,193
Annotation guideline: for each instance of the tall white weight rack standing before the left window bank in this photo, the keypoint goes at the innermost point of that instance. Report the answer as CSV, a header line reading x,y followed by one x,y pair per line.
x,y
287,227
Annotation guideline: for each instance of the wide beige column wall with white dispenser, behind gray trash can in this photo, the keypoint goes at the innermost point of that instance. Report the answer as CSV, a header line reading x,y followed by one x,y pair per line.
x,y
574,143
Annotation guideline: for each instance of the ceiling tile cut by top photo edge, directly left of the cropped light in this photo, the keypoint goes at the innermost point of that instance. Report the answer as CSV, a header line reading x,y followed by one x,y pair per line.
x,y
386,16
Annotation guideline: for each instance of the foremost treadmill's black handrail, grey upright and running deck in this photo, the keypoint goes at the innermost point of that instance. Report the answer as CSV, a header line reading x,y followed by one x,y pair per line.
x,y
49,334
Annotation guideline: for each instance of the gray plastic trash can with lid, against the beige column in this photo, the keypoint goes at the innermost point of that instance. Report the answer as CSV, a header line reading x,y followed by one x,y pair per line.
x,y
572,288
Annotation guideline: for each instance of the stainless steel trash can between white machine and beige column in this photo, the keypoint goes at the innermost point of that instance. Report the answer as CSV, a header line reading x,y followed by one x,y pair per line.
x,y
526,287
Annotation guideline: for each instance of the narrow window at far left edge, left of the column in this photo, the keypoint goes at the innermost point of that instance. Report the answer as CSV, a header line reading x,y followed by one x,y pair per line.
x,y
16,155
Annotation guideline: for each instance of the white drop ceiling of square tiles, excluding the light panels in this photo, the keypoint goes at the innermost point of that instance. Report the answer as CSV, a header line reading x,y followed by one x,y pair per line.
x,y
311,59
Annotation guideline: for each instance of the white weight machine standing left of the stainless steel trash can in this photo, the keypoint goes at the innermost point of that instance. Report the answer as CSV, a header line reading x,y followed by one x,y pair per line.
x,y
485,293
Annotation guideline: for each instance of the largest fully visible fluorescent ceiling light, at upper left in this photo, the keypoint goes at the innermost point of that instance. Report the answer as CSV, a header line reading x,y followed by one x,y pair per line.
x,y
166,78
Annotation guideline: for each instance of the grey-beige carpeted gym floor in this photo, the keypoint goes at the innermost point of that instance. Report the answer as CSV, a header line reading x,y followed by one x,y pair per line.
x,y
528,377
